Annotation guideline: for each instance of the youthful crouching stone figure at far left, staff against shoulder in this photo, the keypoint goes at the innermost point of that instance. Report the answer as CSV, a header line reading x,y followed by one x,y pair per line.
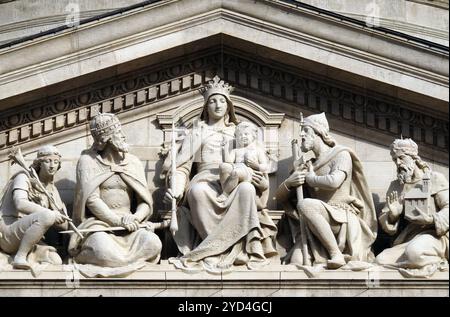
x,y
29,207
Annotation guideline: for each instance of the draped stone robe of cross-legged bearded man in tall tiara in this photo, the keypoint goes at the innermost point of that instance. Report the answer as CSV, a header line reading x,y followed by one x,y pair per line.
x,y
106,249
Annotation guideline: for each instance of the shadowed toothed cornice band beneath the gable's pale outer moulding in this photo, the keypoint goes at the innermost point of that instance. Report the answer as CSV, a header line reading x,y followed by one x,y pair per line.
x,y
292,87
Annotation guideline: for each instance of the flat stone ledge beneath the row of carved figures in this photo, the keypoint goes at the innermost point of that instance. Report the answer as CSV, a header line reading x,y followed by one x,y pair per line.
x,y
277,281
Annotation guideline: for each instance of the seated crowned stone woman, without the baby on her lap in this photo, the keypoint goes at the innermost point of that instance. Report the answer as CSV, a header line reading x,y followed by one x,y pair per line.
x,y
215,234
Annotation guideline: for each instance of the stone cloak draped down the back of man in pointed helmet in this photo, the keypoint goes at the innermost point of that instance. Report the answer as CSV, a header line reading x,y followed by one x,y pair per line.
x,y
350,206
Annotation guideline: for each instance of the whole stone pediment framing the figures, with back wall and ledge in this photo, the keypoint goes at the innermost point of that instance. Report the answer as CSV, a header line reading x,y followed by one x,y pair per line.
x,y
373,88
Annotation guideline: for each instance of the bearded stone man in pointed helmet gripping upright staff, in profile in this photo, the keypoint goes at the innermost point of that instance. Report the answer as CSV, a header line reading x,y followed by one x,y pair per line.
x,y
338,213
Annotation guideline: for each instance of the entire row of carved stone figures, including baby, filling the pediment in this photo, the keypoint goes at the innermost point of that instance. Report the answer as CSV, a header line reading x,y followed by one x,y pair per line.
x,y
220,183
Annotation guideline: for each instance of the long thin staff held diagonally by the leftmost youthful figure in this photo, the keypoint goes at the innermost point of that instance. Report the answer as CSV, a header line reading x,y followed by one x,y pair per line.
x,y
16,156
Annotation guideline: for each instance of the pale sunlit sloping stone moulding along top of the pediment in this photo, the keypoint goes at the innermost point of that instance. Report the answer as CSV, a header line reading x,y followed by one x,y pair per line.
x,y
91,47
